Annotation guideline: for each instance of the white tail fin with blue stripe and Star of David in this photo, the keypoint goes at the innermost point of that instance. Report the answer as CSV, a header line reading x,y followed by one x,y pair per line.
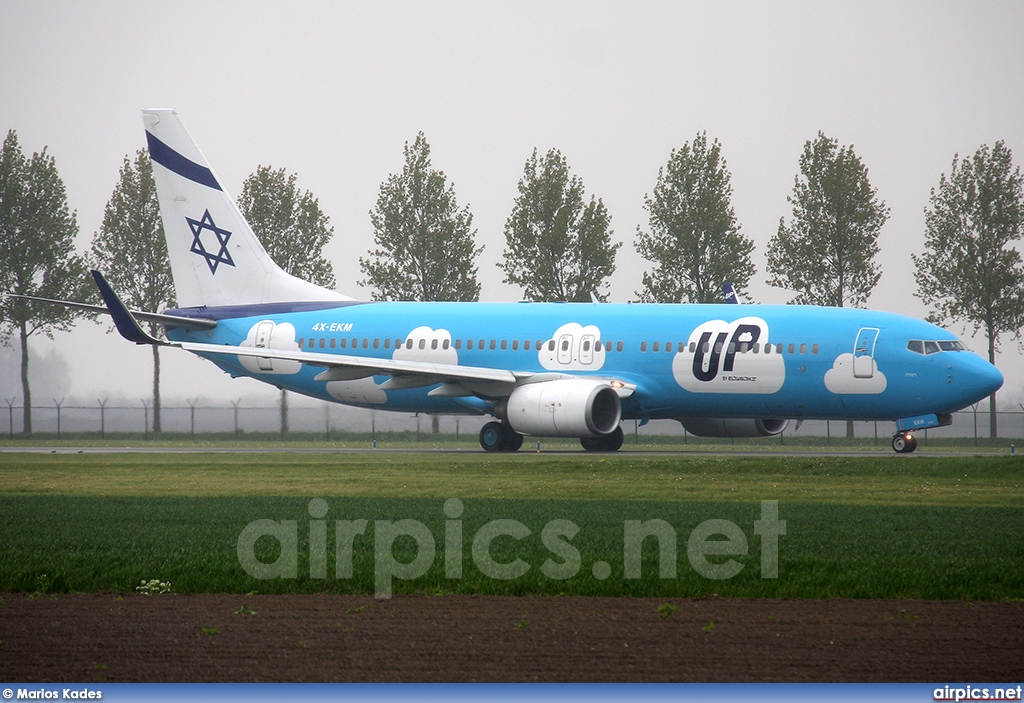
x,y
216,257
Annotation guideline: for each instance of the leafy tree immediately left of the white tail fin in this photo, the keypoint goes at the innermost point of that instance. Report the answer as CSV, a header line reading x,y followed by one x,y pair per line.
x,y
132,252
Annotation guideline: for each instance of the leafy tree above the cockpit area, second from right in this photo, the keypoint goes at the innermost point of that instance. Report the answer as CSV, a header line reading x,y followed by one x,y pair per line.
x,y
828,252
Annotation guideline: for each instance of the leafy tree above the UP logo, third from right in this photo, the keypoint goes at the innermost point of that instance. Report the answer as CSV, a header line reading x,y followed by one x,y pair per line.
x,y
695,238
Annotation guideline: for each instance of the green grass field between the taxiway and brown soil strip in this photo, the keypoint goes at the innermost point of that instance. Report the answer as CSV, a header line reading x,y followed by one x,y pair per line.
x,y
857,528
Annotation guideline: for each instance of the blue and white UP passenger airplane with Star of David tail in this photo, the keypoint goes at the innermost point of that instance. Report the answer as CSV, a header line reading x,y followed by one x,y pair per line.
x,y
542,370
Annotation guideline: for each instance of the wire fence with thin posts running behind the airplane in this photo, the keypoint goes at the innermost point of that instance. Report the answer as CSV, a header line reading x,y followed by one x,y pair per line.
x,y
329,419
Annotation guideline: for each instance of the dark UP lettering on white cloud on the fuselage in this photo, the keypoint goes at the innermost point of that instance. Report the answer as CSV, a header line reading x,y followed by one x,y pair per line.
x,y
730,358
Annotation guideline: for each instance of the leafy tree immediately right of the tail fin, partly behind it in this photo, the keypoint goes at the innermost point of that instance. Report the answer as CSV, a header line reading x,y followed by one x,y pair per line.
x,y
292,229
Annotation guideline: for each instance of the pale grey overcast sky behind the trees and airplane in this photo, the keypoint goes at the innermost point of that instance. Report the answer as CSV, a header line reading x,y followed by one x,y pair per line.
x,y
333,91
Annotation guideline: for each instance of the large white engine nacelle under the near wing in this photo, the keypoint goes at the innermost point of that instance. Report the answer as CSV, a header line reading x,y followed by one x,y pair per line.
x,y
569,408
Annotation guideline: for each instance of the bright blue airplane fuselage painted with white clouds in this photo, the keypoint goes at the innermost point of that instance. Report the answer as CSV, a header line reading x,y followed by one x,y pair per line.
x,y
685,361
